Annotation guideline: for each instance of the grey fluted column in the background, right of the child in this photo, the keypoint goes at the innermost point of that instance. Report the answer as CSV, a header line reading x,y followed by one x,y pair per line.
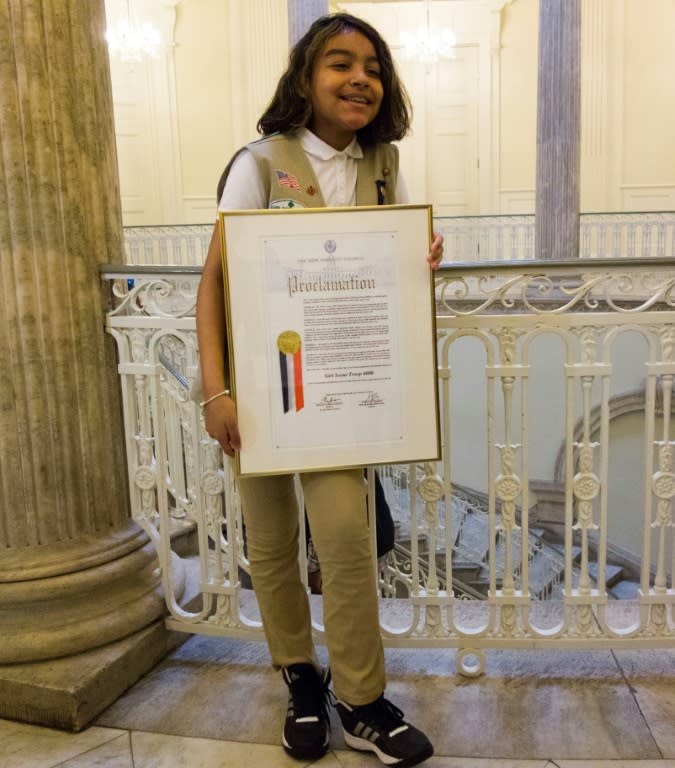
x,y
558,131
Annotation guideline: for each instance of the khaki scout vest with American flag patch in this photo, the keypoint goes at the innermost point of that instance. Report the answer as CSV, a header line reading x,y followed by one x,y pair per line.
x,y
289,181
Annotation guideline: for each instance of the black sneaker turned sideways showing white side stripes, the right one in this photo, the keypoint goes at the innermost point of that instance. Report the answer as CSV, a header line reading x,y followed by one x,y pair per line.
x,y
380,728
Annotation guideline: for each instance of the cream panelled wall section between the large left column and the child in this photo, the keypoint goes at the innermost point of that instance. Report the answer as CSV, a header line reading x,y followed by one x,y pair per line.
x,y
180,118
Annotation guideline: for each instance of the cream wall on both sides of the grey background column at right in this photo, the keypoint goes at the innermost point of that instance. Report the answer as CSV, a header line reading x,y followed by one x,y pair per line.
x,y
627,99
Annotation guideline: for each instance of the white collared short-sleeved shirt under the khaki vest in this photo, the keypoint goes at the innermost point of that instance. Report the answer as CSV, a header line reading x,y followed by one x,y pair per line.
x,y
335,171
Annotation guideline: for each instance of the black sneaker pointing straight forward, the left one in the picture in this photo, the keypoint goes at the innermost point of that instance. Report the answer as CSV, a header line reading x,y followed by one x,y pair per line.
x,y
307,729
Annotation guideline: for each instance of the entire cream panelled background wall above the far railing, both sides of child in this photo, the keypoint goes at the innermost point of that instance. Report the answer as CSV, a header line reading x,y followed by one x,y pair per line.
x,y
180,118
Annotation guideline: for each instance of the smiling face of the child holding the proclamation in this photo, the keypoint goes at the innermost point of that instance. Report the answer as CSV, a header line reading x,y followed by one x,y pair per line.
x,y
345,90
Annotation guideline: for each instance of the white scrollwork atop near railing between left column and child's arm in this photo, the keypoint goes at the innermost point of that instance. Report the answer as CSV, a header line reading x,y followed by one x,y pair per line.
x,y
160,297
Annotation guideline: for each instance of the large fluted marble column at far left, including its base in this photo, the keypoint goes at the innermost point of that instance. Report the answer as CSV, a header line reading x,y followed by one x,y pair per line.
x,y
79,585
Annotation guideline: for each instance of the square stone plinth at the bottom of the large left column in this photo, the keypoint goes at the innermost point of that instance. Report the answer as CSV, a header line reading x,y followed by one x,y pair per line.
x,y
68,693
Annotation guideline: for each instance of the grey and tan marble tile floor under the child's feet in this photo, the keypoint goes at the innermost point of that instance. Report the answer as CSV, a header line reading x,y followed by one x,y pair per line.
x,y
216,703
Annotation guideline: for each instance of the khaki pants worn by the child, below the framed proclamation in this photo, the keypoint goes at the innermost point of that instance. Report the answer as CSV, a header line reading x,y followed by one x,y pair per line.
x,y
335,503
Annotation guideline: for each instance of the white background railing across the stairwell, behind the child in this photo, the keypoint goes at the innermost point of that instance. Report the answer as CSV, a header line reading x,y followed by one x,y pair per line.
x,y
467,238
